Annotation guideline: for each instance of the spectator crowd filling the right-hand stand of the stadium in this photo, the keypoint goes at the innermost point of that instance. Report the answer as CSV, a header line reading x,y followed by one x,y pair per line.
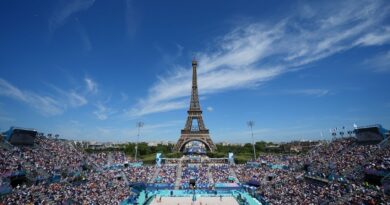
x,y
330,173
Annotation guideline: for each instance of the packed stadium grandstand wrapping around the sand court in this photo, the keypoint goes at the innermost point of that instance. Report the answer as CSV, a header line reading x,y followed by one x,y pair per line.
x,y
57,171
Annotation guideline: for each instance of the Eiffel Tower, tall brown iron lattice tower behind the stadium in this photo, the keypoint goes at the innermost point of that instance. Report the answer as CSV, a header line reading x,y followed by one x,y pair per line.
x,y
195,130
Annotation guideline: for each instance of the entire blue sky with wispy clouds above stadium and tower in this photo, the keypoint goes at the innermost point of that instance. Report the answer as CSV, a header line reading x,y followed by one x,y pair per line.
x,y
91,69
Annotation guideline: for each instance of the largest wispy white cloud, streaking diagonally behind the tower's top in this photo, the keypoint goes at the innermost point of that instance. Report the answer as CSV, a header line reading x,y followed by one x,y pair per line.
x,y
255,53
